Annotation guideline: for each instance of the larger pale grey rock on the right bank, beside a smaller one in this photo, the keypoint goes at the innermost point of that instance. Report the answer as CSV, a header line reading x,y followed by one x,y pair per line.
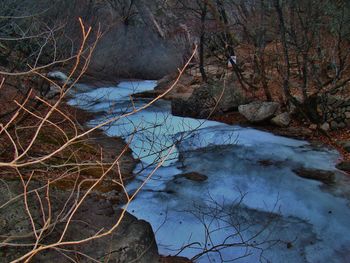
x,y
258,111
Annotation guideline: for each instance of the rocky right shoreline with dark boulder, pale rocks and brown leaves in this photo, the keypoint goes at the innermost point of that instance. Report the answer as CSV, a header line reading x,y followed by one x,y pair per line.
x,y
191,98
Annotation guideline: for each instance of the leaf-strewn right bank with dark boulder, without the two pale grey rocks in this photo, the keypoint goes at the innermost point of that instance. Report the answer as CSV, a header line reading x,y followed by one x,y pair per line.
x,y
191,98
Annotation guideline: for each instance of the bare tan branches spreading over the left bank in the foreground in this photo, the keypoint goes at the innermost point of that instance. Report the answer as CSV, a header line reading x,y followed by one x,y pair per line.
x,y
21,160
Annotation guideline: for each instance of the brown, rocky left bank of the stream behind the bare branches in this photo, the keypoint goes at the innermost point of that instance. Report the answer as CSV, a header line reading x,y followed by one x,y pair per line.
x,y
133,240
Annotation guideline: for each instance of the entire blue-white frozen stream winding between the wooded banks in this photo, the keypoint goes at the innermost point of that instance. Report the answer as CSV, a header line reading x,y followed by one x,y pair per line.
x,y
251,208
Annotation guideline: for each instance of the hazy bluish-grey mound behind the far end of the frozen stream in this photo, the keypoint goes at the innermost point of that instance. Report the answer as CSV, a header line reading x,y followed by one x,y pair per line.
x,y
121,54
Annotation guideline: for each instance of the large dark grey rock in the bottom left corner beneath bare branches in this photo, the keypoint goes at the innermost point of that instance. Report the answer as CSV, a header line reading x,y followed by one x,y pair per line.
x,y
132,240
